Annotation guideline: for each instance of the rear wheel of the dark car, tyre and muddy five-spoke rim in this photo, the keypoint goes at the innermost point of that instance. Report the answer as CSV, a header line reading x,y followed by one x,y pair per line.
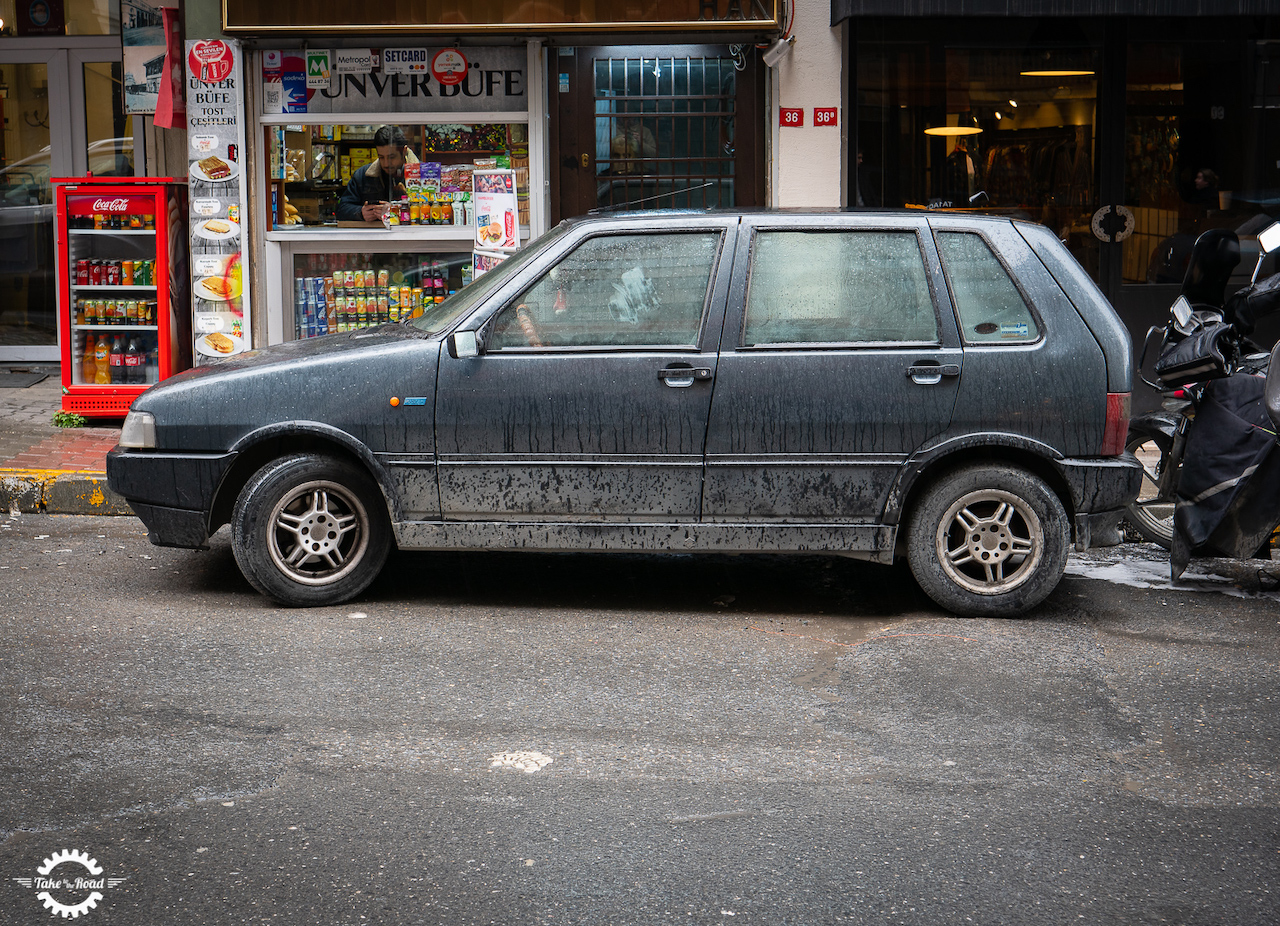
x,y
989,541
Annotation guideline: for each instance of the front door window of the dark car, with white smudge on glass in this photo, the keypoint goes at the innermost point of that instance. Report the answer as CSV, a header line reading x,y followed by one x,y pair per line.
x,y
620,290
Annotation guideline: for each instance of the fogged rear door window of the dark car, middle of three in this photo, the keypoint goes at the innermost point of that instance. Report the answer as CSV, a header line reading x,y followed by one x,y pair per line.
x,y
838,286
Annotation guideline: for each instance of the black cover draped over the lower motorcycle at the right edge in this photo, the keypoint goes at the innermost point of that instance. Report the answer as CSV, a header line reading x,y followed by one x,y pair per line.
x,y
1229,489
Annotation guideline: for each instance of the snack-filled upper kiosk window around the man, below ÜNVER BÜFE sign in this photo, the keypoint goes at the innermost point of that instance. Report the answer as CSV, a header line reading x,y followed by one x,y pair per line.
x,y
312,166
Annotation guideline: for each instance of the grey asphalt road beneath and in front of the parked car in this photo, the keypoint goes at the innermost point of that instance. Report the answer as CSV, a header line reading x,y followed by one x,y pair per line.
x,y
714,741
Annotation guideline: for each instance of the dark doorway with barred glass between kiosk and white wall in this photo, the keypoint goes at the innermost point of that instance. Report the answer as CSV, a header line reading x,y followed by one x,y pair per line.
x,y
656,127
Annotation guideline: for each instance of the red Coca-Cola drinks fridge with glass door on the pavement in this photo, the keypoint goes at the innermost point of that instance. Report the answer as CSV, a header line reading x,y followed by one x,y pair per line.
x,y
124,289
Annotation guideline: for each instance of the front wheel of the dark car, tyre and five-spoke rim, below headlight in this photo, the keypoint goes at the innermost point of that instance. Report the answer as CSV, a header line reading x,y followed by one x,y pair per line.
x,y
277,531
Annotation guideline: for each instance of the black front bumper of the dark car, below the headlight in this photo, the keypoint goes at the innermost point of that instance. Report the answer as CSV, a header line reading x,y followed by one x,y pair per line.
x,y
173,494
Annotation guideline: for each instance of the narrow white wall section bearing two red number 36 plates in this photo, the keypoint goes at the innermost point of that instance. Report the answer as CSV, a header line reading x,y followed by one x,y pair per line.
x,y
807,165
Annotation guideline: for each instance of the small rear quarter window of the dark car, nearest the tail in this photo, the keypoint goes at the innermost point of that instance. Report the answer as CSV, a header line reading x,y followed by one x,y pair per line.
x,y
991,308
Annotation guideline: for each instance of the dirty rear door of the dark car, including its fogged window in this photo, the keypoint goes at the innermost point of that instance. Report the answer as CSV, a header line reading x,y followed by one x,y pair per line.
x,y
836,367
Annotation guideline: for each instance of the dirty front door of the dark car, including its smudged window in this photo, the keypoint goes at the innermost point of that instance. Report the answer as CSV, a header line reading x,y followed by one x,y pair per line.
x,y
591,398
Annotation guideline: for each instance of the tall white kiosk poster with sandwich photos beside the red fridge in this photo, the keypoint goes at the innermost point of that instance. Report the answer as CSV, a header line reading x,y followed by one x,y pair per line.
x,y
220,190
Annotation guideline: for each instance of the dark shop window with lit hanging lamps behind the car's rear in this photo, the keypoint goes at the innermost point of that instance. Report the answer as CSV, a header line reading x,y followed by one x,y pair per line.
x,y
1009,131
